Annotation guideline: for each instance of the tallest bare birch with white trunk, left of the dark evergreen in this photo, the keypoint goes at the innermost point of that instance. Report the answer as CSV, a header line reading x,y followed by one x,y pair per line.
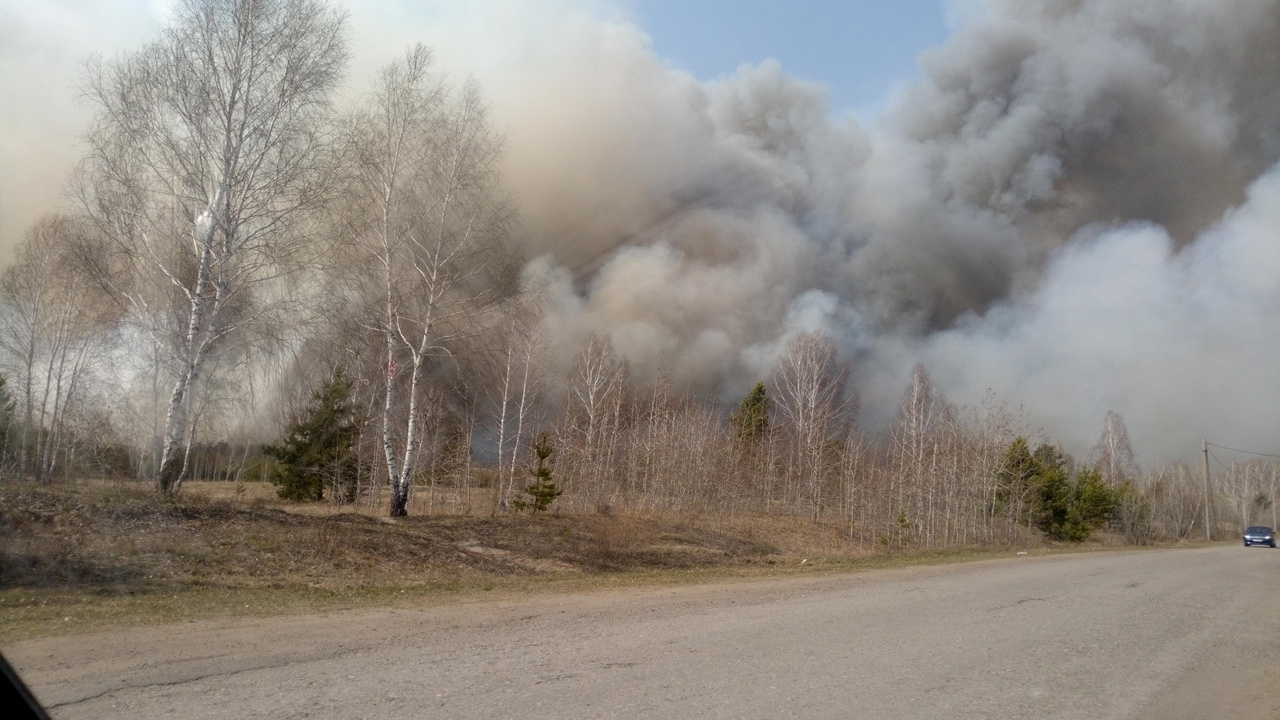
x,y
205,156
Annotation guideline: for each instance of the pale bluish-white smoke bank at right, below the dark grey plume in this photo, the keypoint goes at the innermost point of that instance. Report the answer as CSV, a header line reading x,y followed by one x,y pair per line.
x,y
1182,343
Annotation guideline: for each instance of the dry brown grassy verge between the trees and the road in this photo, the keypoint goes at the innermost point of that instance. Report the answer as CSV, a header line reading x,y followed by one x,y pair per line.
x,y
75,557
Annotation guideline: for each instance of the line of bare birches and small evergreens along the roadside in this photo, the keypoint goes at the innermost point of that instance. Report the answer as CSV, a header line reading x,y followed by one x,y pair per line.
x,y
255,285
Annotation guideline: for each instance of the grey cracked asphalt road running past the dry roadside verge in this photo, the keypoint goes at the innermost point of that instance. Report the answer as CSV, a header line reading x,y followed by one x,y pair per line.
x,y
1182,634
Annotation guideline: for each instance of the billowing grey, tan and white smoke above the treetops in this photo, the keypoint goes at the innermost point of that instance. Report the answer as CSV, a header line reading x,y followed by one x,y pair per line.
x,y
1076,206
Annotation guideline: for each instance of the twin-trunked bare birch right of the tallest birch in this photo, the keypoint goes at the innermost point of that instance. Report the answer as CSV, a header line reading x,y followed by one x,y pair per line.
x,y
429,217
